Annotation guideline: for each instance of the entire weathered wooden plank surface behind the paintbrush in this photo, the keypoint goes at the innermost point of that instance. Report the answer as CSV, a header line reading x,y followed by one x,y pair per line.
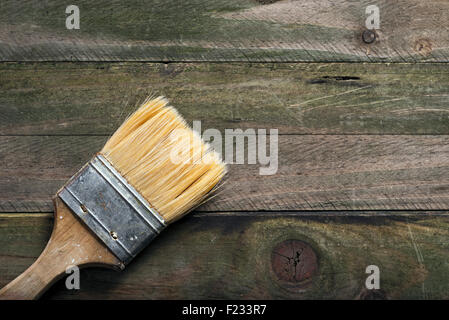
x,y
362,146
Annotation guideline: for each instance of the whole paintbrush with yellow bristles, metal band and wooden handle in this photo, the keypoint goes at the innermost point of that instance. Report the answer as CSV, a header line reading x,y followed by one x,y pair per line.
x,y
152,171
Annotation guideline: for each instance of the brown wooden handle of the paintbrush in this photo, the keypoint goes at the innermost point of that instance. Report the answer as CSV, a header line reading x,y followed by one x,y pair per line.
x,y
71,244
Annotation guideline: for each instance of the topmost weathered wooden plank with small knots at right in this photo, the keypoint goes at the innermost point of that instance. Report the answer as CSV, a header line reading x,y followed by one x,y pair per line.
x,y
224,30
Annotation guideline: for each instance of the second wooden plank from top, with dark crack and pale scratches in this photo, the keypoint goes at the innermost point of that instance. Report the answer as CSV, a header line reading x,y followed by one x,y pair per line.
x,y
94,98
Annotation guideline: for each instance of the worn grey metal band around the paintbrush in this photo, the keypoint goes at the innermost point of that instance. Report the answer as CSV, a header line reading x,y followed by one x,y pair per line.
x,y
112,208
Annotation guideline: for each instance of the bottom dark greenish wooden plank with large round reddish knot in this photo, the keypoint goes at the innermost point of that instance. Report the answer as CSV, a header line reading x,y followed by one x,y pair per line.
x,y
203,257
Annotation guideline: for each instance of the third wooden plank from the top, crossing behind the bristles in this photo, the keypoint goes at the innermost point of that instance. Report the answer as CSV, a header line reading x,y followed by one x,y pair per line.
x,y
315,172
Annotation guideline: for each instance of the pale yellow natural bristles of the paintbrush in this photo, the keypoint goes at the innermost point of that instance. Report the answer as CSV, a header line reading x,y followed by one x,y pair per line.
x,y
163,159
